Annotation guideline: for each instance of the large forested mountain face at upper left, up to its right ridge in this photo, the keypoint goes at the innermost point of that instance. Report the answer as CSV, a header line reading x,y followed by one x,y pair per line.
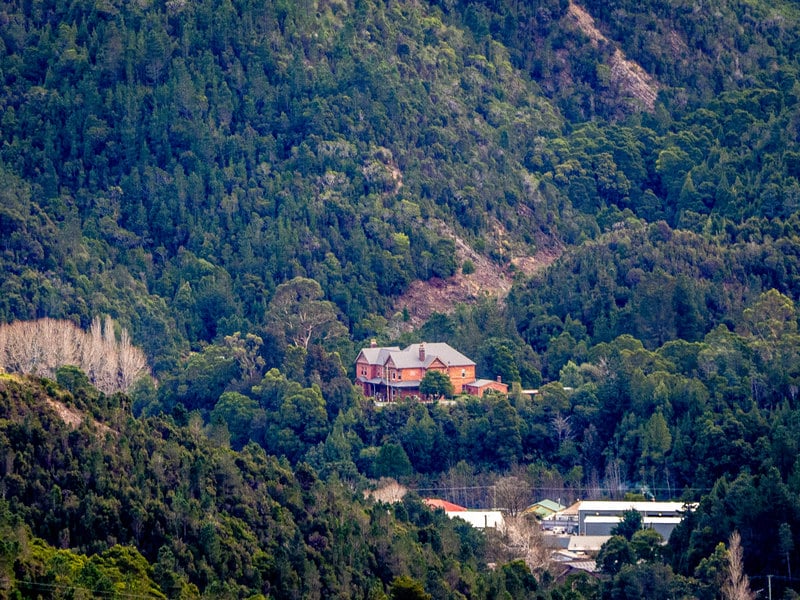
x,y
150,154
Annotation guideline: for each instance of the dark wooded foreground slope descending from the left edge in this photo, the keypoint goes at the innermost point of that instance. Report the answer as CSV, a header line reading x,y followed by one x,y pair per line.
x,y
206,519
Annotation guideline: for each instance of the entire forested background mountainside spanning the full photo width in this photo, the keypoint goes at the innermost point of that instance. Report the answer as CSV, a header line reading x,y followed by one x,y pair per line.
x,y
199,155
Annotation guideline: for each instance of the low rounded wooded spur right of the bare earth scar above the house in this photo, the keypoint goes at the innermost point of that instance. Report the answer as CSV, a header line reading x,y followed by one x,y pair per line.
x,y
654,283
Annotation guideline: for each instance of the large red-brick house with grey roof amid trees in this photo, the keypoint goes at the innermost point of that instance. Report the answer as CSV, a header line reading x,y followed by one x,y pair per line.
x,y
389,373
